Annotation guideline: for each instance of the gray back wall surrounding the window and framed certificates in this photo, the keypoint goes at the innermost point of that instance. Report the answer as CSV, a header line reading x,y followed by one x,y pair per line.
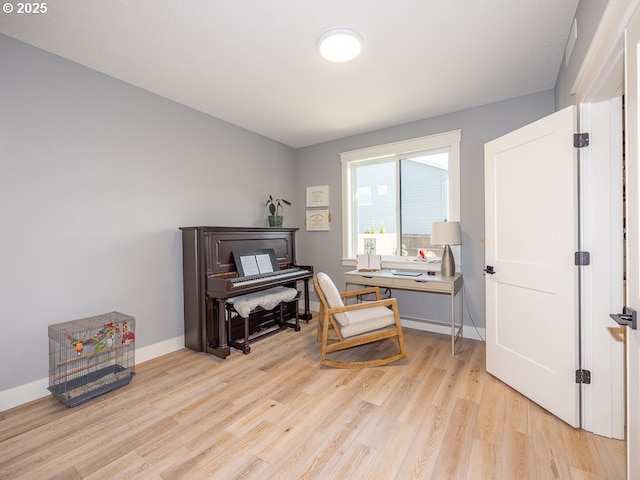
x,y
320,165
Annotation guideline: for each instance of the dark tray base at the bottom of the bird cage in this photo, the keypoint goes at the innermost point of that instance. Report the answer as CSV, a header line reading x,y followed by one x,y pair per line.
x,y
80,390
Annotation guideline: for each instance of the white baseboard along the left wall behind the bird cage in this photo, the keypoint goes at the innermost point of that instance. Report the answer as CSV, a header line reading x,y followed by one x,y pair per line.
x,y
29,392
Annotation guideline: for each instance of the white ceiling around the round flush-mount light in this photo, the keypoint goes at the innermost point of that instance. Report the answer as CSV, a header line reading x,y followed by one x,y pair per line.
x,y
253,62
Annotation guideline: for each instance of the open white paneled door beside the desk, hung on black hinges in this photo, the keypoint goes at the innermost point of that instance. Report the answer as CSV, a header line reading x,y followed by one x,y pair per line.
x,y
531,239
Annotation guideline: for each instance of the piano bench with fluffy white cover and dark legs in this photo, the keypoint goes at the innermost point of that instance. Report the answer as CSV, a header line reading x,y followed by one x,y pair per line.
x,y
243,306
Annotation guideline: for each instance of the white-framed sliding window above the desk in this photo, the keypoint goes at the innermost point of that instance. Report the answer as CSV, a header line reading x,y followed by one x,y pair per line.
x,y
393,193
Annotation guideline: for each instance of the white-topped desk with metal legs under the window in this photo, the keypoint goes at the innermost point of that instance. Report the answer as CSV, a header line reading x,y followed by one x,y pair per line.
x,y
424,283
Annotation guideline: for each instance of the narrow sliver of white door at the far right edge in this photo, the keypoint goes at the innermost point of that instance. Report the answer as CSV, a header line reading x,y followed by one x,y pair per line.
x,y
632,50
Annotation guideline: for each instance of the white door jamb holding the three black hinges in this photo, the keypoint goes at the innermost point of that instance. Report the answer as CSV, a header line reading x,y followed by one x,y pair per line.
x,y
602,339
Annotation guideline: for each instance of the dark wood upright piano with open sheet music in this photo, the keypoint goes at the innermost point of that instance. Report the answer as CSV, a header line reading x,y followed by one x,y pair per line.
x,y
210,278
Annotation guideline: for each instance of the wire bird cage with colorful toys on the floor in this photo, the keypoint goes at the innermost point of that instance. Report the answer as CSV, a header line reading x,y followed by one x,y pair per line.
x,y
91,356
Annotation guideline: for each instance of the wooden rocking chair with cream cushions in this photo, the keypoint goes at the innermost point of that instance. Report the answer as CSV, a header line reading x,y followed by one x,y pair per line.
x,y
355,324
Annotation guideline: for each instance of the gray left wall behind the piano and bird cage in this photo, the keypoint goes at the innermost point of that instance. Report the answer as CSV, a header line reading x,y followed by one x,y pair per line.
x,y
96,176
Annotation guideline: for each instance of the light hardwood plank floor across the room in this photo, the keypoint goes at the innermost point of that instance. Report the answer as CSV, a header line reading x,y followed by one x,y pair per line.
x,y
276,413
